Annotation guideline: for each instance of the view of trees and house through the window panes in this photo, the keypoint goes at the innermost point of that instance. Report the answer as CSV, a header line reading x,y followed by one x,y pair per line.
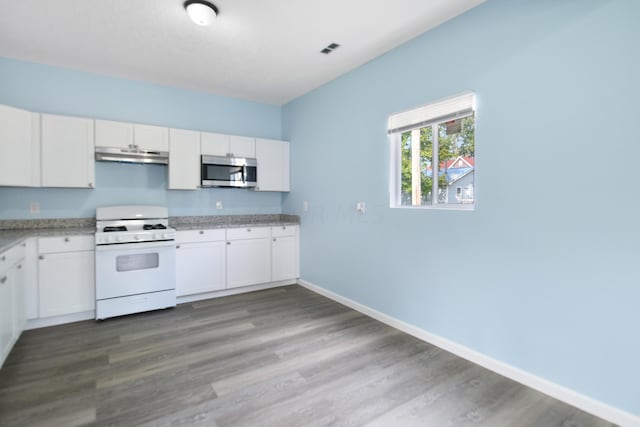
x,y
455,148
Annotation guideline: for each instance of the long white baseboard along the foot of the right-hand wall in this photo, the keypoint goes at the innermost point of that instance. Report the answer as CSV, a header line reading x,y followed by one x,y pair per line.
x,y
580,401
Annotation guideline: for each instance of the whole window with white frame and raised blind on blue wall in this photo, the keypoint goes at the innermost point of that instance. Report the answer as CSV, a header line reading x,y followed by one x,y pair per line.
x,y
433,155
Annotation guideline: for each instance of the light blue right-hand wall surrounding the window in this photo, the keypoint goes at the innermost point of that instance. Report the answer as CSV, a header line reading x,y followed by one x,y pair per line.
x,y
549,280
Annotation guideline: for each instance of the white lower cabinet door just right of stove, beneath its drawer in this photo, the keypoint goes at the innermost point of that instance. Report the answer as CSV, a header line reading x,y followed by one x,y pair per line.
x,y
200,267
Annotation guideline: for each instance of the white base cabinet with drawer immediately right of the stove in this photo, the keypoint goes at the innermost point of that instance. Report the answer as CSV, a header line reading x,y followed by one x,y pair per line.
x,y
200,261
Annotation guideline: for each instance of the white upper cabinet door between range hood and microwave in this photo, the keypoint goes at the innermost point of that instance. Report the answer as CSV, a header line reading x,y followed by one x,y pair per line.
x,y
184,159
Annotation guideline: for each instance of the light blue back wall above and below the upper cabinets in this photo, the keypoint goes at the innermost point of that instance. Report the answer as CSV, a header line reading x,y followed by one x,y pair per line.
x,y
49,89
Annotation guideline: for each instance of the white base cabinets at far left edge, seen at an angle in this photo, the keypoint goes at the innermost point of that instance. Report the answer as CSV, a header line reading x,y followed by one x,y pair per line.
x,y
12,314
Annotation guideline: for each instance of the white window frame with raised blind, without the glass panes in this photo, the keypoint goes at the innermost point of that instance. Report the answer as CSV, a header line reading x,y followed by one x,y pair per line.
x,y
432,114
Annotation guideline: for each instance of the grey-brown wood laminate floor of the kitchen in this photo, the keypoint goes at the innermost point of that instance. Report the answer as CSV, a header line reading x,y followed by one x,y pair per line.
x,y
280,357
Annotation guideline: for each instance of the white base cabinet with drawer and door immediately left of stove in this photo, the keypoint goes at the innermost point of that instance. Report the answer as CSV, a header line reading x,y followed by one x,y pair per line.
x,y
66,275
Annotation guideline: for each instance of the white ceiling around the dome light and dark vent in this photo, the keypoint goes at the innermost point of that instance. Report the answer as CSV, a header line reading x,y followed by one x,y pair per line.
x,y
261,50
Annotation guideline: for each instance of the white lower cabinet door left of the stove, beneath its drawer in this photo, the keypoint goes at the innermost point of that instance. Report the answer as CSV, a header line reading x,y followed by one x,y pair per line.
x,y
67,283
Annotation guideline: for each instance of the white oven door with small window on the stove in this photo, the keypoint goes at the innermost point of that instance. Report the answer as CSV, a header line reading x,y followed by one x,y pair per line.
x,y
135,268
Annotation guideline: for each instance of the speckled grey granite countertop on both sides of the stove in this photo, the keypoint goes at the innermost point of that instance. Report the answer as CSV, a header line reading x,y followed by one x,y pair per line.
x,y
13,232
